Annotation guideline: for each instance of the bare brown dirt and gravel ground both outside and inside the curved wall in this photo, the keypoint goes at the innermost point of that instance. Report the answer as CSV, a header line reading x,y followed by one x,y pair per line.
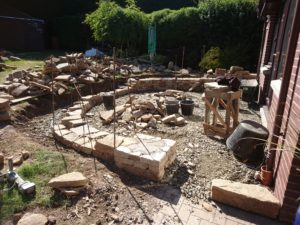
x,y
114,195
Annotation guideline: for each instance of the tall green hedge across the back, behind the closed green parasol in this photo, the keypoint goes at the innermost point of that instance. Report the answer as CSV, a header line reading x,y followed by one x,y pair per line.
x,y
230,25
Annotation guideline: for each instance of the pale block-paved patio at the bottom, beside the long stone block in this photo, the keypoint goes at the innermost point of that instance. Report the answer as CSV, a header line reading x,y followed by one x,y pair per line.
x,y
176,209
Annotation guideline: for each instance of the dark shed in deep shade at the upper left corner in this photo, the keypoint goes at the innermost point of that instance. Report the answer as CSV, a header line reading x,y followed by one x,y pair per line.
x,y
19,31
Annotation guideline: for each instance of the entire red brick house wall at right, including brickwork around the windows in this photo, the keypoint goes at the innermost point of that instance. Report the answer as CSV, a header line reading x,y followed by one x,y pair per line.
x,y
286,174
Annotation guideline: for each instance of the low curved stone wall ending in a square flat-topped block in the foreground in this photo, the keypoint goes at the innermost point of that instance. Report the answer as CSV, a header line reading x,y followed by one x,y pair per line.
x,y
142,155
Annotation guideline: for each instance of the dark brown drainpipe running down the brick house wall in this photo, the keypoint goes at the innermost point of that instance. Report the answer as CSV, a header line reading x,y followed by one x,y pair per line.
x,y
284,87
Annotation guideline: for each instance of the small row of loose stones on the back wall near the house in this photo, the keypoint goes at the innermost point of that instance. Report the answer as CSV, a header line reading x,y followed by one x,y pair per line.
x,y
234,71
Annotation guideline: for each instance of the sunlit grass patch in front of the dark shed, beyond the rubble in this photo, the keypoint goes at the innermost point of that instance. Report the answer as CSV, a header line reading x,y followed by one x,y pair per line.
x,y
29,60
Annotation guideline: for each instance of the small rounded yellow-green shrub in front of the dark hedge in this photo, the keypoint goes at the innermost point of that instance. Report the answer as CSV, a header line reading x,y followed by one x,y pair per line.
x,y
211,59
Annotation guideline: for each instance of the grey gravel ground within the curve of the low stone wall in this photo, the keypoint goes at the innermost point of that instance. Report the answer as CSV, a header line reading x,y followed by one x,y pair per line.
x,y
199,158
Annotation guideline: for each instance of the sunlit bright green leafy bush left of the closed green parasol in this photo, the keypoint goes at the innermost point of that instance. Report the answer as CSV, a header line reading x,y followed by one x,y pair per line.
x,y
123,28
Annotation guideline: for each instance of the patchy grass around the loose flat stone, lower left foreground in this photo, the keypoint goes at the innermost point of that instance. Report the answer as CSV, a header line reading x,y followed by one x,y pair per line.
x,y
46,165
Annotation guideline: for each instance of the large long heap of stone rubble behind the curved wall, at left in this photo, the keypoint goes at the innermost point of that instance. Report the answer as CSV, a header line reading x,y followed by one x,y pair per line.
x,y
58,74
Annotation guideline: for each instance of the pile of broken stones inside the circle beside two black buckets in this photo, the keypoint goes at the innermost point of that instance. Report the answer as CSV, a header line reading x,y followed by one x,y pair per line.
x,y
143,114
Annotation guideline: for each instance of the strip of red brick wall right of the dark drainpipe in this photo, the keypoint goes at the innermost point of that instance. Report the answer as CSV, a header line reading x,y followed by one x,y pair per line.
x,y
287,178
